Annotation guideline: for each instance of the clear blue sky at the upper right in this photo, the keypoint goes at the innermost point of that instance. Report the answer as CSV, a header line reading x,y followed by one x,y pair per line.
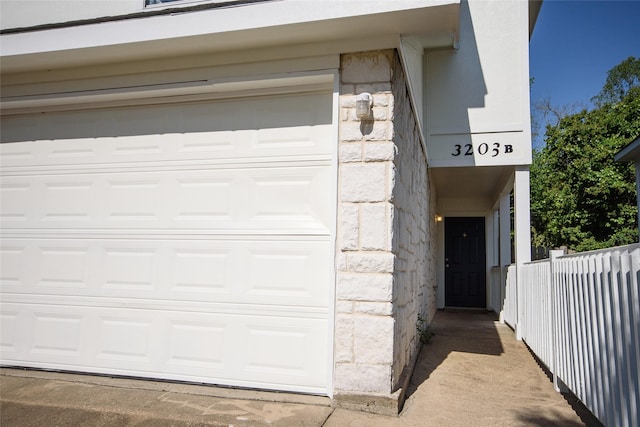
x,y
575,43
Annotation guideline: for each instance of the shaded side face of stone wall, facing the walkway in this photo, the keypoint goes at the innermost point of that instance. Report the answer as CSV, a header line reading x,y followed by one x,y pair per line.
x,y
415,241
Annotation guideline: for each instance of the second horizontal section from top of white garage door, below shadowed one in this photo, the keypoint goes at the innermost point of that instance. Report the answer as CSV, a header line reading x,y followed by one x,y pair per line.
x,y
231,199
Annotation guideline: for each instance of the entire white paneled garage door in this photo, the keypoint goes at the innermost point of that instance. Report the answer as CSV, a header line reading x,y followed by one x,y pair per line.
x,y
182,241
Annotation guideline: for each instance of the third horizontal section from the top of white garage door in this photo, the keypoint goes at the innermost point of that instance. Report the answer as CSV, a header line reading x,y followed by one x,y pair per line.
x,y
275,272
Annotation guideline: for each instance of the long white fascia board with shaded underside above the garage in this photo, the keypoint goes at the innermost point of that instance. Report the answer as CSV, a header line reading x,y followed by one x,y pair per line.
x,y
251,26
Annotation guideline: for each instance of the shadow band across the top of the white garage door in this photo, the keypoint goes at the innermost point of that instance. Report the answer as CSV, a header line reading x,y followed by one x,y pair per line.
x,y
197,117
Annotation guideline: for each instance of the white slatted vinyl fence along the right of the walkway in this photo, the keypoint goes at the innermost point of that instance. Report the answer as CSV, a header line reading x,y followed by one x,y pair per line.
x,y
580,314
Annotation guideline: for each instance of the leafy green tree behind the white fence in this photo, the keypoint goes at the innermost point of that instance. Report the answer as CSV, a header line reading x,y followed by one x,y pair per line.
x,y
580,197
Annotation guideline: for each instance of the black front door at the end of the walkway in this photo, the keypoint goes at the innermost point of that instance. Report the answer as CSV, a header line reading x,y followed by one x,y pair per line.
x,y
465,262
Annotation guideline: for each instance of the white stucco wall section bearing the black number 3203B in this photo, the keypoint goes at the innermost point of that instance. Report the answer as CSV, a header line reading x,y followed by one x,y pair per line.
x,y
479,93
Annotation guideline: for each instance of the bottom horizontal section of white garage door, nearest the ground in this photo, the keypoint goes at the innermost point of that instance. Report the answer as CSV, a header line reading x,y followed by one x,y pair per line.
x,y
233,349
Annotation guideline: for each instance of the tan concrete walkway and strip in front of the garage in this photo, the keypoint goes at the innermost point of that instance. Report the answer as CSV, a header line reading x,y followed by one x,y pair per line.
x,y
472,373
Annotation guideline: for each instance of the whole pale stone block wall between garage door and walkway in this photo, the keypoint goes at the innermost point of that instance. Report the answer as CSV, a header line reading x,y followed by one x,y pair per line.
x,y
386,236
